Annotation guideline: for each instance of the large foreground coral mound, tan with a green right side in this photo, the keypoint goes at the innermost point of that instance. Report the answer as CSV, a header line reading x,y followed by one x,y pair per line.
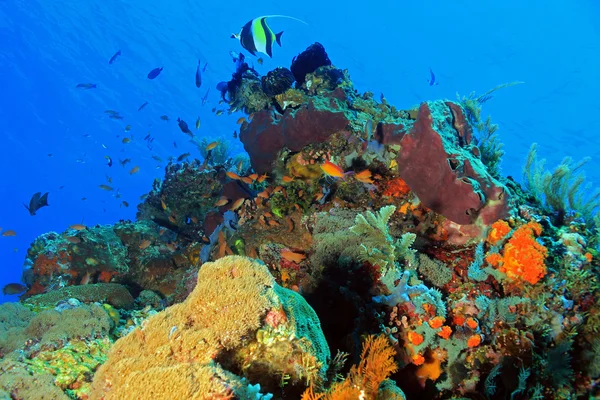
x,y
236,318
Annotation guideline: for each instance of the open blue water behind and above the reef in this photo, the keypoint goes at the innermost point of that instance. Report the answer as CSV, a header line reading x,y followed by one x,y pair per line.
x,y
48,47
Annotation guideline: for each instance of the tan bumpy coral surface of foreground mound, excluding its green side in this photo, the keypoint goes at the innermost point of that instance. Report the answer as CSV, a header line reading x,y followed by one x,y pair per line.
x,y
185,351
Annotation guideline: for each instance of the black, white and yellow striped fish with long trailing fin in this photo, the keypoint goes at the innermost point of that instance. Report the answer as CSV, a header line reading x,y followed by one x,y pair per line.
x,y
256,36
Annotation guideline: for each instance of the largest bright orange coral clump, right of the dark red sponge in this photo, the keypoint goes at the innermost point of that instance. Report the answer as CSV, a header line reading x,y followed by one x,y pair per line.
x,y
523,257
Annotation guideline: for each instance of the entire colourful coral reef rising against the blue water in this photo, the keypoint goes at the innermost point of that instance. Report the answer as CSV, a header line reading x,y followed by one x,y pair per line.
x,y
350,222
